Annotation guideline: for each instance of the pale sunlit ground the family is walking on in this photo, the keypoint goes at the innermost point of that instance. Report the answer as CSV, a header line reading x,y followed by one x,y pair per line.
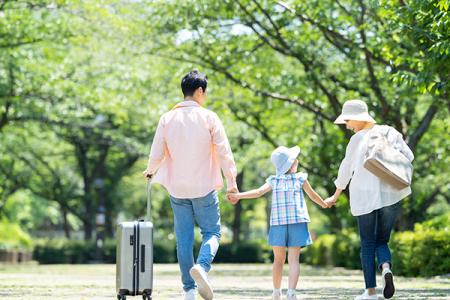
x,y
249,281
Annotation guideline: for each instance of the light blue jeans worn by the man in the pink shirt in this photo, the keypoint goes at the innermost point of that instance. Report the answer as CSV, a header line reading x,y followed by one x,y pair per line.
x,y
206,213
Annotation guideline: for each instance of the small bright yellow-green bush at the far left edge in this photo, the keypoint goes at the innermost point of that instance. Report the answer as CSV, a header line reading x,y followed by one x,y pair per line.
x,y
12,237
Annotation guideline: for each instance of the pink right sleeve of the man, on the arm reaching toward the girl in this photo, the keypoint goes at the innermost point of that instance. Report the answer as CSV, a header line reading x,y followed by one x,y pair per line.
x,y
223,149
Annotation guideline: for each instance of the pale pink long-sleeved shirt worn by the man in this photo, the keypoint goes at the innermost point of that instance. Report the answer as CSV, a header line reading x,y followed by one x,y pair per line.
x,y
189,149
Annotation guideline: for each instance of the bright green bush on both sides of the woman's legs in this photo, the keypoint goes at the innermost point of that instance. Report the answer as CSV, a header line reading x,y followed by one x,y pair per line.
x,y
422,252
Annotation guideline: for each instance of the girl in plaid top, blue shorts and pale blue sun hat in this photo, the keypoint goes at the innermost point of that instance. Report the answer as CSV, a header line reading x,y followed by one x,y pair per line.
x,y
288,217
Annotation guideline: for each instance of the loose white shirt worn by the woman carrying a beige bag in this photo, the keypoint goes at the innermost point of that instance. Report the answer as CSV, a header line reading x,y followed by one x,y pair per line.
x,y
367,191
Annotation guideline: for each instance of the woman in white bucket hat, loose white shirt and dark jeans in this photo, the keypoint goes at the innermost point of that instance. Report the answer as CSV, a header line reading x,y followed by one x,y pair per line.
x,y
374,203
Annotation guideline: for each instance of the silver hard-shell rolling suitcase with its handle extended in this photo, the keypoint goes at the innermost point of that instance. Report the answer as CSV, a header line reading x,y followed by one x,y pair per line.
x,y
134,261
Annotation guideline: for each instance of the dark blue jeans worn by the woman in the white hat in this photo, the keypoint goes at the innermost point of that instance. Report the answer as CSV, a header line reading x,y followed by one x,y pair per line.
x,y
374,231
